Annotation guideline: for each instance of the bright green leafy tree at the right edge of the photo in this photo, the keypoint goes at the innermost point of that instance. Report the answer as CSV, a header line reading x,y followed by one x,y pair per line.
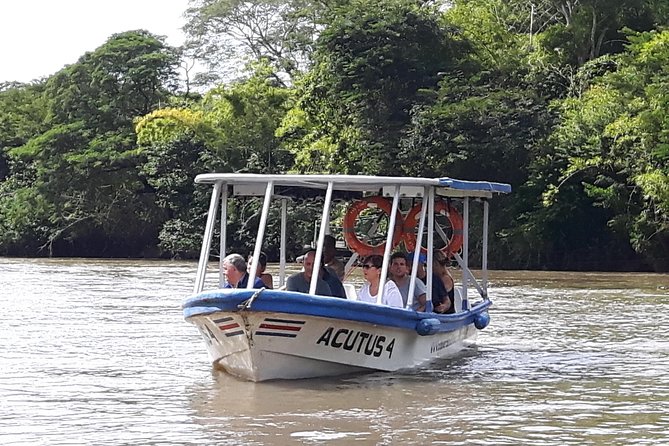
x,y
612,147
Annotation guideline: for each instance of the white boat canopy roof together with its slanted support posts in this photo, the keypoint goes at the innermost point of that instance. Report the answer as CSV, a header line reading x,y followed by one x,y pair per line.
x,y
427,189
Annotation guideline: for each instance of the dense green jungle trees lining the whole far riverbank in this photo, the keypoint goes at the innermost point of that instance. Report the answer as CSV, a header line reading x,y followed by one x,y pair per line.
x,y
566,100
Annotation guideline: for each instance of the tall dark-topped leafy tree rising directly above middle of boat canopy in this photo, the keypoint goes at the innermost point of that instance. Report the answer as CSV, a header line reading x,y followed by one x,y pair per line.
x,y
371,66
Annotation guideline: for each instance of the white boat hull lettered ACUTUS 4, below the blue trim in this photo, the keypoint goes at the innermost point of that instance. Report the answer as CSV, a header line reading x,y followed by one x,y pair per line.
x,y
261,346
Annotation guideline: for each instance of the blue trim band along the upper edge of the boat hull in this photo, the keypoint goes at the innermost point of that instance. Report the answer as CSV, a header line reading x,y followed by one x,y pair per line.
x,y
288,302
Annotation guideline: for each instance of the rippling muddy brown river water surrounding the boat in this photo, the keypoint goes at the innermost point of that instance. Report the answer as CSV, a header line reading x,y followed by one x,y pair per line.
x,y
97,352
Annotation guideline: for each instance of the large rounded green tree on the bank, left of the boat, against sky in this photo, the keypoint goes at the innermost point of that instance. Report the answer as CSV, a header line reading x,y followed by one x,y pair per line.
x,y
79,177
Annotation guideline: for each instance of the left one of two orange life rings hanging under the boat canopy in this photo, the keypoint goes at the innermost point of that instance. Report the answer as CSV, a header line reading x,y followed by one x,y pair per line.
x,y
352,240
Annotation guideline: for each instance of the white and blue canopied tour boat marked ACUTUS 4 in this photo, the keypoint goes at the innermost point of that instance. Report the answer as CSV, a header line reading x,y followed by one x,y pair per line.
x,y
267,334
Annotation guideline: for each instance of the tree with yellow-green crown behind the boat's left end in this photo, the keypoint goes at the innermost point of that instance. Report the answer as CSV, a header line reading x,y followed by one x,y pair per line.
x,y
231,130
